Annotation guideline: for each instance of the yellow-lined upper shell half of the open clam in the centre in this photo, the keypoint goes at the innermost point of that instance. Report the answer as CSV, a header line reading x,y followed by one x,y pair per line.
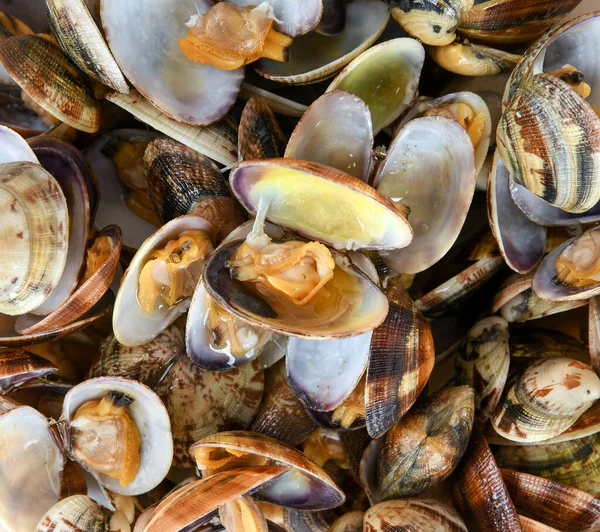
x,y
294,189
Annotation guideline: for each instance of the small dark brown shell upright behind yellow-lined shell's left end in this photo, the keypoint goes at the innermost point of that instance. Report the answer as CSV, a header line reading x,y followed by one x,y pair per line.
x,y
259,134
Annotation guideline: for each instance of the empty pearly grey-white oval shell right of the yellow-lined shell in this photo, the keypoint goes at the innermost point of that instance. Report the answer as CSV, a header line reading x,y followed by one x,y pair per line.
x,y
430,167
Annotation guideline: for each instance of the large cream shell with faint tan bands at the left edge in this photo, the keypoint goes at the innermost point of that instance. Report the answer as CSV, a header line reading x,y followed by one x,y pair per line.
x,y
34,233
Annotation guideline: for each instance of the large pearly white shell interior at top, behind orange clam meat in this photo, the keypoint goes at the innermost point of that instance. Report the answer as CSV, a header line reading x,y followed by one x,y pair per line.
x,y
143,38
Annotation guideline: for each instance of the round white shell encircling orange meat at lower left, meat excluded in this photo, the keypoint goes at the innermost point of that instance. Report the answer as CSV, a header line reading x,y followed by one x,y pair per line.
x,y
151,418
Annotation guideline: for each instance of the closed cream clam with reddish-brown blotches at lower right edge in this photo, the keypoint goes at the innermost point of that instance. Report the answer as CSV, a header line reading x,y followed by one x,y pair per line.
x,y
547,398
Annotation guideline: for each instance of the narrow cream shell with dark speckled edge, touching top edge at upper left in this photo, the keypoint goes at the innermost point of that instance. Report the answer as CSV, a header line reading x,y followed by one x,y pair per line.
x,y
77,34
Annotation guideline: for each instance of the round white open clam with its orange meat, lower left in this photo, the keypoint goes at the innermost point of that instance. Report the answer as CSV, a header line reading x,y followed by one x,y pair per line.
x,y
119,431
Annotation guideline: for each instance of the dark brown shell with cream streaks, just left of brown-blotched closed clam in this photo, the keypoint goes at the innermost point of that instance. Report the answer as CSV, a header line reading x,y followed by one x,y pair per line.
x,y
483,363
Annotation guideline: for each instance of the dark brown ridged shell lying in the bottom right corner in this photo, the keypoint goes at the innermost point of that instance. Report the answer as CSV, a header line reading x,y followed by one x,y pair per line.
x,y
552,503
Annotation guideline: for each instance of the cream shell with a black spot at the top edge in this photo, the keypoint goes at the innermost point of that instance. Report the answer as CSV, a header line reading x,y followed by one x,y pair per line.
x,y
430,21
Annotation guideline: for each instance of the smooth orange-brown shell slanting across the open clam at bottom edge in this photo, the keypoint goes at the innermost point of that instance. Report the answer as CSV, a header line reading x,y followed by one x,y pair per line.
x,y
191,505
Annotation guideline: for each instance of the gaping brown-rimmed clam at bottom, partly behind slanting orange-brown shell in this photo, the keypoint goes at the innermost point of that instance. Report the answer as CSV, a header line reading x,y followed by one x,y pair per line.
x,y
305,486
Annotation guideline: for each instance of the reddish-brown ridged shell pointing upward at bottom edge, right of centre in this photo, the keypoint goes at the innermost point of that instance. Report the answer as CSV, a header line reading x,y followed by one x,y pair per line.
x,y
480,493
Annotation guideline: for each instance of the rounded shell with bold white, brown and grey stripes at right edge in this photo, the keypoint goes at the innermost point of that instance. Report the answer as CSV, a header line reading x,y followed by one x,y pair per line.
x,y
549,140
